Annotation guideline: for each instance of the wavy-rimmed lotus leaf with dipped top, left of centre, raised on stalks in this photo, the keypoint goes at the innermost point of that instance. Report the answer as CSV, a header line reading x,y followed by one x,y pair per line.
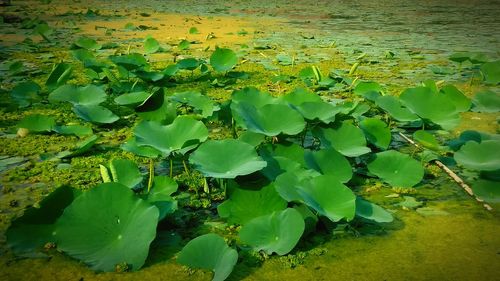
x,y
184,134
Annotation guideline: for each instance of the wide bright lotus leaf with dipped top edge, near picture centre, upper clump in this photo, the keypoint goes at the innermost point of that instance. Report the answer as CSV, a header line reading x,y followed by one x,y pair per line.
x,y
268,119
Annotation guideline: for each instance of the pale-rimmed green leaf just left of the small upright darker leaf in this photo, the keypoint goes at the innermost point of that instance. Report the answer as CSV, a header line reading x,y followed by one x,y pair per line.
x,y
345,138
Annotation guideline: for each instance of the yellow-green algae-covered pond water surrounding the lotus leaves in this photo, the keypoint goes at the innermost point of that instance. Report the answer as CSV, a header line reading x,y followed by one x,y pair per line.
x,y
449,237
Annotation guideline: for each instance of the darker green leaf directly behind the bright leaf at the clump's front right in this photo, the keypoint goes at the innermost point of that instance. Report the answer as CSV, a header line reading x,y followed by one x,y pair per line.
x,y
329,162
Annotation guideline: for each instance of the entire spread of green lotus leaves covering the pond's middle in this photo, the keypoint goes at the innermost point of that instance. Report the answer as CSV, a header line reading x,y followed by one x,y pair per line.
x,y
287,167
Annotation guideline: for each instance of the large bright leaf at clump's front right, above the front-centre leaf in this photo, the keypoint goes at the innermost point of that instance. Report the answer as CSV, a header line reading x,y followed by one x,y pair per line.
x,y
328,197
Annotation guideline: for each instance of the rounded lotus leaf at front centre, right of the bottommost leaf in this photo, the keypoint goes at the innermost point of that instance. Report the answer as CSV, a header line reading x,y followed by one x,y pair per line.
x,y
278,232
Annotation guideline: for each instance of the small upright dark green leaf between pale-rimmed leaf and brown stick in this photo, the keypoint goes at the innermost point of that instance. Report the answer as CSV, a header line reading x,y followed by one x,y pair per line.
x,y
377,132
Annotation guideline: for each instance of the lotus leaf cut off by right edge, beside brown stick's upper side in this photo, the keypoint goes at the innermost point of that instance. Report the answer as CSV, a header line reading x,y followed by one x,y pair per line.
x,y
484,156
